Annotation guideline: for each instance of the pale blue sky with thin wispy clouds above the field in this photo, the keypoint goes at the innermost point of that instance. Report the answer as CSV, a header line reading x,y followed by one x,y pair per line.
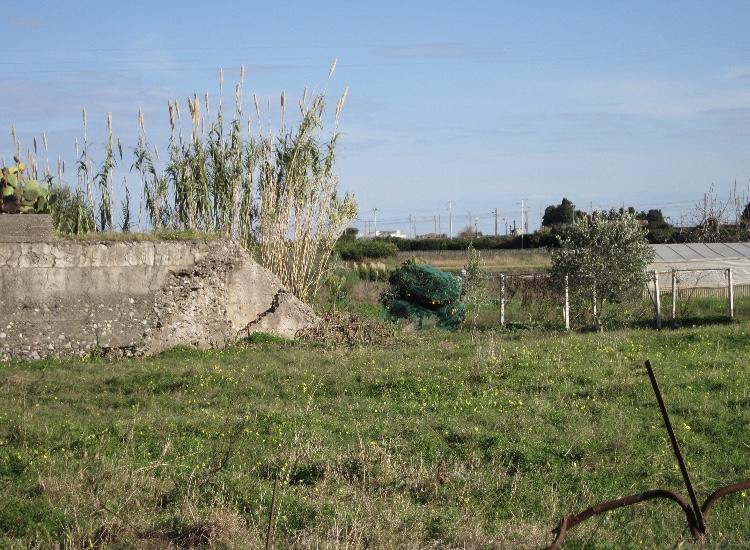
x,y
478,103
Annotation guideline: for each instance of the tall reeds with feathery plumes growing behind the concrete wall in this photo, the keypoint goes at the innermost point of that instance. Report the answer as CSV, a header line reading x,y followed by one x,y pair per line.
x,y
272,190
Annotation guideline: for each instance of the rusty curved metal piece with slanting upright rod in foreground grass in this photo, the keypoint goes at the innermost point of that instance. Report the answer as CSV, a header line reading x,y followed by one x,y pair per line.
x,y
695,515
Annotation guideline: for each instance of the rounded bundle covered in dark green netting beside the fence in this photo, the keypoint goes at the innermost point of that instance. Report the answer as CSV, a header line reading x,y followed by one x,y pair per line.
x,y
418,291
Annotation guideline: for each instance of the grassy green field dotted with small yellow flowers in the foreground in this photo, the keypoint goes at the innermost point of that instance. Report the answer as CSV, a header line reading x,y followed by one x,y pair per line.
x,y
433,440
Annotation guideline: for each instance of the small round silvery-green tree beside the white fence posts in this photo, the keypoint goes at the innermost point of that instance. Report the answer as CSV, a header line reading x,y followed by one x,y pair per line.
x,y
604,257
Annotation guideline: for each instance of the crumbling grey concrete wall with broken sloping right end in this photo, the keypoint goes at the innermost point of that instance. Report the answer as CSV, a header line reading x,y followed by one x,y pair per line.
x,y
72,298
